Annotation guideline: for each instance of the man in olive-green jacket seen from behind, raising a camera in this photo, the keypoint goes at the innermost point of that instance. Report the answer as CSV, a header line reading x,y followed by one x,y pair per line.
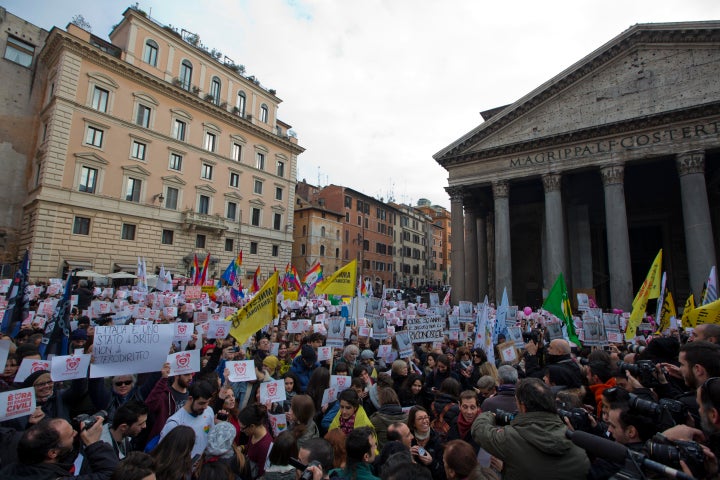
x,y
534,444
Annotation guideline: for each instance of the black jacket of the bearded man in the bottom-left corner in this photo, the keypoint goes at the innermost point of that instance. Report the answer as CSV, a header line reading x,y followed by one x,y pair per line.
x,y
100,456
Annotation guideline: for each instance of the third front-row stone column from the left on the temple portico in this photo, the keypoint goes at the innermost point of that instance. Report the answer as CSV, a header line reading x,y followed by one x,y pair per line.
x,y
554,229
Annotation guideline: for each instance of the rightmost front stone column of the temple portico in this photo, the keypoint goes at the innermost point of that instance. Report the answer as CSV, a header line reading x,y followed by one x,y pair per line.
x,y
696,218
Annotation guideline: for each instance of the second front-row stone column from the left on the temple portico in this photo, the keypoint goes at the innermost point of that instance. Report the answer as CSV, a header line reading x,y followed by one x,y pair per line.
x,y
503,260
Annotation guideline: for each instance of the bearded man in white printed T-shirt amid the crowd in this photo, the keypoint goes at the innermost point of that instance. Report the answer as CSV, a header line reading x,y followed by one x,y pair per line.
x,y
195,414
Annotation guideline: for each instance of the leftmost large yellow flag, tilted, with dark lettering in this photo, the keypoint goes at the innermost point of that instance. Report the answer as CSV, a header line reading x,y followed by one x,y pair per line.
x,y
257,313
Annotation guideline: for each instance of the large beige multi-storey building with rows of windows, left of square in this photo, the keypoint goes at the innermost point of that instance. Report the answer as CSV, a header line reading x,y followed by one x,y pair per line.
x,y
150,146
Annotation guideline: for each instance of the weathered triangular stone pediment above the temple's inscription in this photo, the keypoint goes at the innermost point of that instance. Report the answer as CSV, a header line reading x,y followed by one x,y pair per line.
x,y
648,70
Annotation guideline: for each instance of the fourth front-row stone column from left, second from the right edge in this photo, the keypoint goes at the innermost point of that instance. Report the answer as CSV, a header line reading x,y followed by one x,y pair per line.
x,y
618,240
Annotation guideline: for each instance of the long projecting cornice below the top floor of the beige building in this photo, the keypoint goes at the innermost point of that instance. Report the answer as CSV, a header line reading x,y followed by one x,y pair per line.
x,y
60,40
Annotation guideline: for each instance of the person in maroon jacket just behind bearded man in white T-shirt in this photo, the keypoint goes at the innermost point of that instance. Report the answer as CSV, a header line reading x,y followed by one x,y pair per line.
x,y
166,398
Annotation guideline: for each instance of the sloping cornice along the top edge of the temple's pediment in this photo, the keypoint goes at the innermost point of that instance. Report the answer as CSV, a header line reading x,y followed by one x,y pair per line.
x,y
647,34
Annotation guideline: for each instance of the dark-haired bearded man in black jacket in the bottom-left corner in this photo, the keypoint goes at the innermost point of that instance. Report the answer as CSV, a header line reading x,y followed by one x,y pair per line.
x,y
47,451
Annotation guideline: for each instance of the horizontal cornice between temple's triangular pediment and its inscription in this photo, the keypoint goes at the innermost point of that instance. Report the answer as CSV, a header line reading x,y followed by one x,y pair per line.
x,y
610,129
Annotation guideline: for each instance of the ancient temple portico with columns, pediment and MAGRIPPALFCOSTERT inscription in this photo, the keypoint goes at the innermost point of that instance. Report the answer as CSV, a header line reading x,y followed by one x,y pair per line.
x,y
593,172
